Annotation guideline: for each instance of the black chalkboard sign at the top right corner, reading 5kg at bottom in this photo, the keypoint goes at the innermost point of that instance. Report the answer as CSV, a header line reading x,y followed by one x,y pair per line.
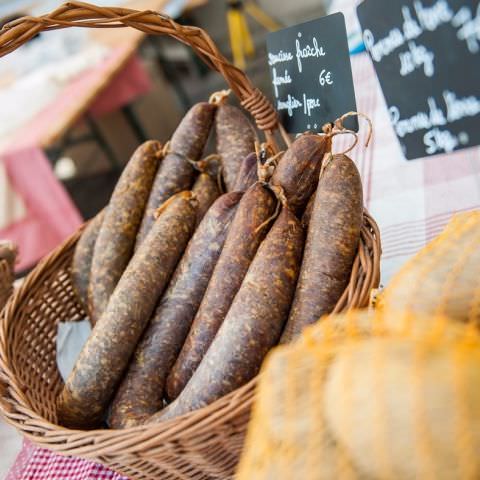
x,y
427,57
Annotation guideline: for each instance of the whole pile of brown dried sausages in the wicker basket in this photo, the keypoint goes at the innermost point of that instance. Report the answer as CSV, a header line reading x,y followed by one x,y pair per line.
x,y
196,269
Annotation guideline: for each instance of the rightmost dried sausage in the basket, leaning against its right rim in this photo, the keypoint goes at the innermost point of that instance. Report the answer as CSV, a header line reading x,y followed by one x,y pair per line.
x,y
331,245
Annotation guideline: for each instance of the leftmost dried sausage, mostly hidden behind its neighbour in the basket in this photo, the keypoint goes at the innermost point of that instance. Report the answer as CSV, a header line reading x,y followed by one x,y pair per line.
x,y
82,259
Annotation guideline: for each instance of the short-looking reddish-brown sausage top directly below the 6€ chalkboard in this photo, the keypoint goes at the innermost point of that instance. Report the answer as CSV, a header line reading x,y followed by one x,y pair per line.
x,y
298,170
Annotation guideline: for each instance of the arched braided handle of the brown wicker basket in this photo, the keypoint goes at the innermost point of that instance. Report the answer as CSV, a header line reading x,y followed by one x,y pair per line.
x,y
80,14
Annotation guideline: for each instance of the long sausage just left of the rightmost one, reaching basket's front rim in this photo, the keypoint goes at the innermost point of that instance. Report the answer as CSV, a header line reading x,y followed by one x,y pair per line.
x,y
254,322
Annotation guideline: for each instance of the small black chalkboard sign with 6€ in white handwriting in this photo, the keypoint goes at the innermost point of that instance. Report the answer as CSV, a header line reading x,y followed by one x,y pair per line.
x,y
311,74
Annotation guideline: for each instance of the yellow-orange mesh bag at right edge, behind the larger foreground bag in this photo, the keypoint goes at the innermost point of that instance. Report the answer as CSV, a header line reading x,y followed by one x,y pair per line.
x,y
443,278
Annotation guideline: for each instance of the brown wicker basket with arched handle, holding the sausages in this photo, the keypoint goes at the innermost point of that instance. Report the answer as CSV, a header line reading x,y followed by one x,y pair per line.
x,y
203,444
